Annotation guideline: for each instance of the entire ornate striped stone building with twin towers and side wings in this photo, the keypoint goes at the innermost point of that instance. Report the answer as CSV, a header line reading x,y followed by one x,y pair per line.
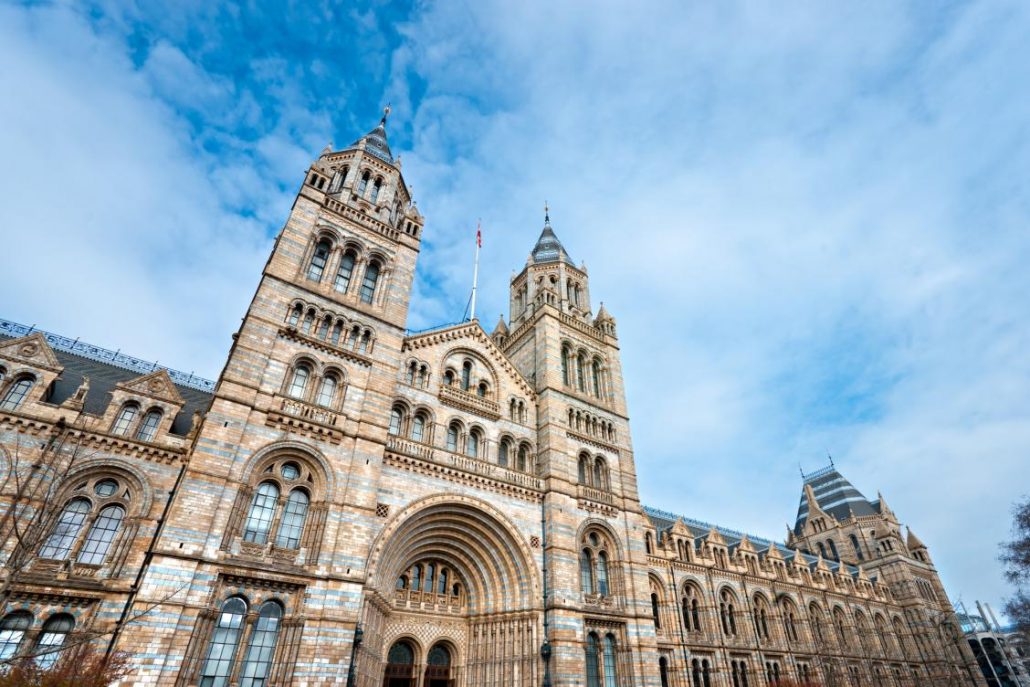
x,y
354,502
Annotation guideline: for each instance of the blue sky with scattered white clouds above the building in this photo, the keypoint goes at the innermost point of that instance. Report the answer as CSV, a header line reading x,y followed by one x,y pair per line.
x,y
809,220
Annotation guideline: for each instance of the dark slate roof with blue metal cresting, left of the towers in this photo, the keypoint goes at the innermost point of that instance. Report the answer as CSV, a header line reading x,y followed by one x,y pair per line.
x,y
105,376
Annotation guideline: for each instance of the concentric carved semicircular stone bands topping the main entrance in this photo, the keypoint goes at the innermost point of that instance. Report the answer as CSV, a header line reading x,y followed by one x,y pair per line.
x,y
479,540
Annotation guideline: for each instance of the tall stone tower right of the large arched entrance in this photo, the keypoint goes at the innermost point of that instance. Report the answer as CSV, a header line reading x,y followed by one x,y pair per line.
x,y
597,567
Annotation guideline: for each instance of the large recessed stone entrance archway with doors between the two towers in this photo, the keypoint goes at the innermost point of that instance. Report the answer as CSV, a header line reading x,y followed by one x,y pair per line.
x,y
454,573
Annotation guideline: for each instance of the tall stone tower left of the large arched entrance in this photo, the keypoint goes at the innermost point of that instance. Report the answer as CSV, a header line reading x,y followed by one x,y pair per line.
x,y
279,498
